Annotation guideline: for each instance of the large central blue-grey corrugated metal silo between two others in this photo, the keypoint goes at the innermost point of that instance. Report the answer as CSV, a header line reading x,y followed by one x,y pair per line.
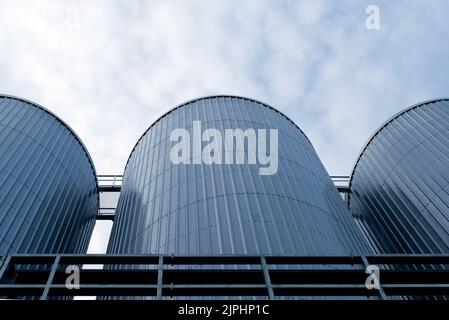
x,y
227,209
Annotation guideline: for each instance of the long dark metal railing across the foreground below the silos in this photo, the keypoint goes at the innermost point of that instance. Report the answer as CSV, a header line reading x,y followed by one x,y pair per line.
x,y
264,277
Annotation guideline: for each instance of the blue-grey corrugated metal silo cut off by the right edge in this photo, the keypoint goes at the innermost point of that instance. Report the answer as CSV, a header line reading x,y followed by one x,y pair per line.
x,y
399,190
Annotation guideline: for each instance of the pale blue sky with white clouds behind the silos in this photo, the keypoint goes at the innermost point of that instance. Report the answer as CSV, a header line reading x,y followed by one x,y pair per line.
x,y
110,68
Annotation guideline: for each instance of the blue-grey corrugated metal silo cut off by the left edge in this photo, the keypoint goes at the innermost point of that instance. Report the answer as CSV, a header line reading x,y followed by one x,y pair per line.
x,y
48,190
